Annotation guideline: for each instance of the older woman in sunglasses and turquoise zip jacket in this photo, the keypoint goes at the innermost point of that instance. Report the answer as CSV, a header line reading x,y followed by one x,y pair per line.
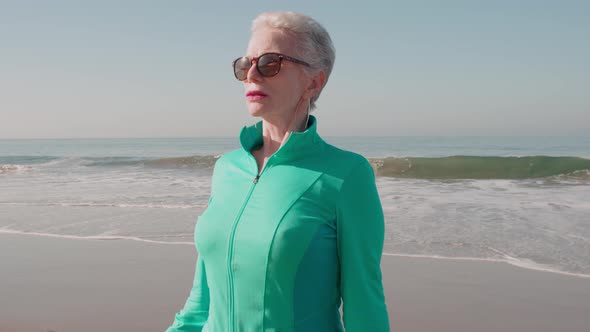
x,y
294,226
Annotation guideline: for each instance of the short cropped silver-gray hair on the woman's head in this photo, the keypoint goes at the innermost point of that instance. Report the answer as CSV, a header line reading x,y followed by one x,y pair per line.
x,y
314,43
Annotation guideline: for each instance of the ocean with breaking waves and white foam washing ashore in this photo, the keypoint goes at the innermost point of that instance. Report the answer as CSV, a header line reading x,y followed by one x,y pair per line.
x,y
521,200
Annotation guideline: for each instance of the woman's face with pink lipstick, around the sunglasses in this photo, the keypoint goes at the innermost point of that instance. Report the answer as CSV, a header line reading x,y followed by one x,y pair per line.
x,y
277,96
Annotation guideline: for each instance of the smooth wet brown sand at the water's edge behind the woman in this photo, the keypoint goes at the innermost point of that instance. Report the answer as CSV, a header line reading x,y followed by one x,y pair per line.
x,y
81,285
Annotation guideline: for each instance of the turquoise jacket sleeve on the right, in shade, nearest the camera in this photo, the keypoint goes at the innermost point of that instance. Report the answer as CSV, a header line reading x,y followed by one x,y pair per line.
x,y
361,230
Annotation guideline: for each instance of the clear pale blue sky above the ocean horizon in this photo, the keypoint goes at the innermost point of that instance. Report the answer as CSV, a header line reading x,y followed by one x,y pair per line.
x,y
162,68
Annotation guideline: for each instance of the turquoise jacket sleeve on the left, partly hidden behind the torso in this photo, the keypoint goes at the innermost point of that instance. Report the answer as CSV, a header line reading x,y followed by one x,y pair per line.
x,y
196,309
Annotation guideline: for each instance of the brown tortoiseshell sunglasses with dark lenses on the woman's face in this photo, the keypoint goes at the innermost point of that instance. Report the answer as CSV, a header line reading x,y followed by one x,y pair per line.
x,y
268,64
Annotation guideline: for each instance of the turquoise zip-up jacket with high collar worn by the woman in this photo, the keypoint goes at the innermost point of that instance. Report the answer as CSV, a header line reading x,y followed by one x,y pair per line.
x,y
280,250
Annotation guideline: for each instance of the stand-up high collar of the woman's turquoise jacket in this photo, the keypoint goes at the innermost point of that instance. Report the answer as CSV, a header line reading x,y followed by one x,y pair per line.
x,y
297,144
